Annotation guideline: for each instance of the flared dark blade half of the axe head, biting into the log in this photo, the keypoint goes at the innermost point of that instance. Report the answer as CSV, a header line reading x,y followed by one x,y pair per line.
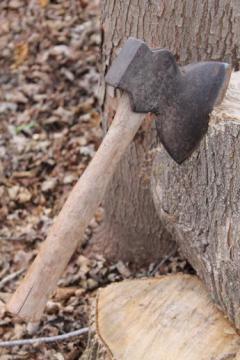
x,y
184,121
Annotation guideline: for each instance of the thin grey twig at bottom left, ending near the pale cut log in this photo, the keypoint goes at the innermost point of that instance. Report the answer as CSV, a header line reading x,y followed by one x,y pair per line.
x,y
47,339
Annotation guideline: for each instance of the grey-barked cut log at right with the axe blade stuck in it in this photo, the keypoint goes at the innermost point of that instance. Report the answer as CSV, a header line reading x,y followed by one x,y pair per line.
x,y
199,202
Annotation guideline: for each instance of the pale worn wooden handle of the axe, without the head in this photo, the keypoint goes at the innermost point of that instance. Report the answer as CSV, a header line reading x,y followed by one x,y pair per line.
x,y
66,234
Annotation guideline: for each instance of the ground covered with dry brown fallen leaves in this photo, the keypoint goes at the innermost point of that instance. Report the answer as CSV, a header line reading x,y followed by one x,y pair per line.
x,y
49,130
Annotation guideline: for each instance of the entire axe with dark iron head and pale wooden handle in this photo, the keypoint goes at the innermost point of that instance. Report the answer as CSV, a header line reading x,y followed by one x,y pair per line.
x,y
180,97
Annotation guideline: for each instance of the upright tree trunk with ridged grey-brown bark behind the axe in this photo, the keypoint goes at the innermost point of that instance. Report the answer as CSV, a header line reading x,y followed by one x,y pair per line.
x,y
193,30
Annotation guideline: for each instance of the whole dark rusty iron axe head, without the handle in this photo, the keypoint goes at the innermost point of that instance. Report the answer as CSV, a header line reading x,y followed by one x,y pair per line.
x,y
181,97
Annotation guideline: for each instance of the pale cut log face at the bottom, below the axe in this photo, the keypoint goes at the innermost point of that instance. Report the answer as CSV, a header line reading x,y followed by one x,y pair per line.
x,y
166,318
